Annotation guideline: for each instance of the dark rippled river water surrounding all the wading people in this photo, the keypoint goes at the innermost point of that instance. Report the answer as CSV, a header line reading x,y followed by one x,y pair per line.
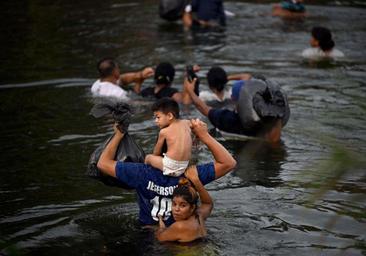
x,y
49,52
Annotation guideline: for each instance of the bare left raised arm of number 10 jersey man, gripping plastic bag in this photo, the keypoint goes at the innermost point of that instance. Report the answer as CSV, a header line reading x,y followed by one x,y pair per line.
x,y
106,162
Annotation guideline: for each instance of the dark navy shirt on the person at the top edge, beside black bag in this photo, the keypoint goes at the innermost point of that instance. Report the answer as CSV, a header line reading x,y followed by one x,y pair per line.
x,y
209,10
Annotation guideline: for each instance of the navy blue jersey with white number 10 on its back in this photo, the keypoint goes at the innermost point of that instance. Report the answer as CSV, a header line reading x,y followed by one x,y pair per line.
x,y
154,189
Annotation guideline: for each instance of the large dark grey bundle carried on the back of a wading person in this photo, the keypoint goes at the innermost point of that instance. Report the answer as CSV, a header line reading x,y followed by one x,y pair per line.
x,y
260,100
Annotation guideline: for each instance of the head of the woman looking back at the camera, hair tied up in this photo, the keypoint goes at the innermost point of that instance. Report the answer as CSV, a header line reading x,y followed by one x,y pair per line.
x,y
185,200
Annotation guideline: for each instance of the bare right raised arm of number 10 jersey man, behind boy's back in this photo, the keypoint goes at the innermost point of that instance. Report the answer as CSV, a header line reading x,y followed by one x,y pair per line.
x,y
224,161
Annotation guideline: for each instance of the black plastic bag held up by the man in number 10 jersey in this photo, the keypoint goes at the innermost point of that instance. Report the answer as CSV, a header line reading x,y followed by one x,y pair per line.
x,y
127,150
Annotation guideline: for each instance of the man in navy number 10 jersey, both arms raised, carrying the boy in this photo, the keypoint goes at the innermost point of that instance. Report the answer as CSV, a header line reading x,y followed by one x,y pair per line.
x,y
155,190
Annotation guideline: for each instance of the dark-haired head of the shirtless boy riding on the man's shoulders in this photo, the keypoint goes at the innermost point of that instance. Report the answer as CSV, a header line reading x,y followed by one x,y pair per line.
x,y
166,111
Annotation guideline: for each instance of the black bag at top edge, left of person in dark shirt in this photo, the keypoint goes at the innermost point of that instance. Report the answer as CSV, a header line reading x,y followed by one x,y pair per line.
x,y
172,10
